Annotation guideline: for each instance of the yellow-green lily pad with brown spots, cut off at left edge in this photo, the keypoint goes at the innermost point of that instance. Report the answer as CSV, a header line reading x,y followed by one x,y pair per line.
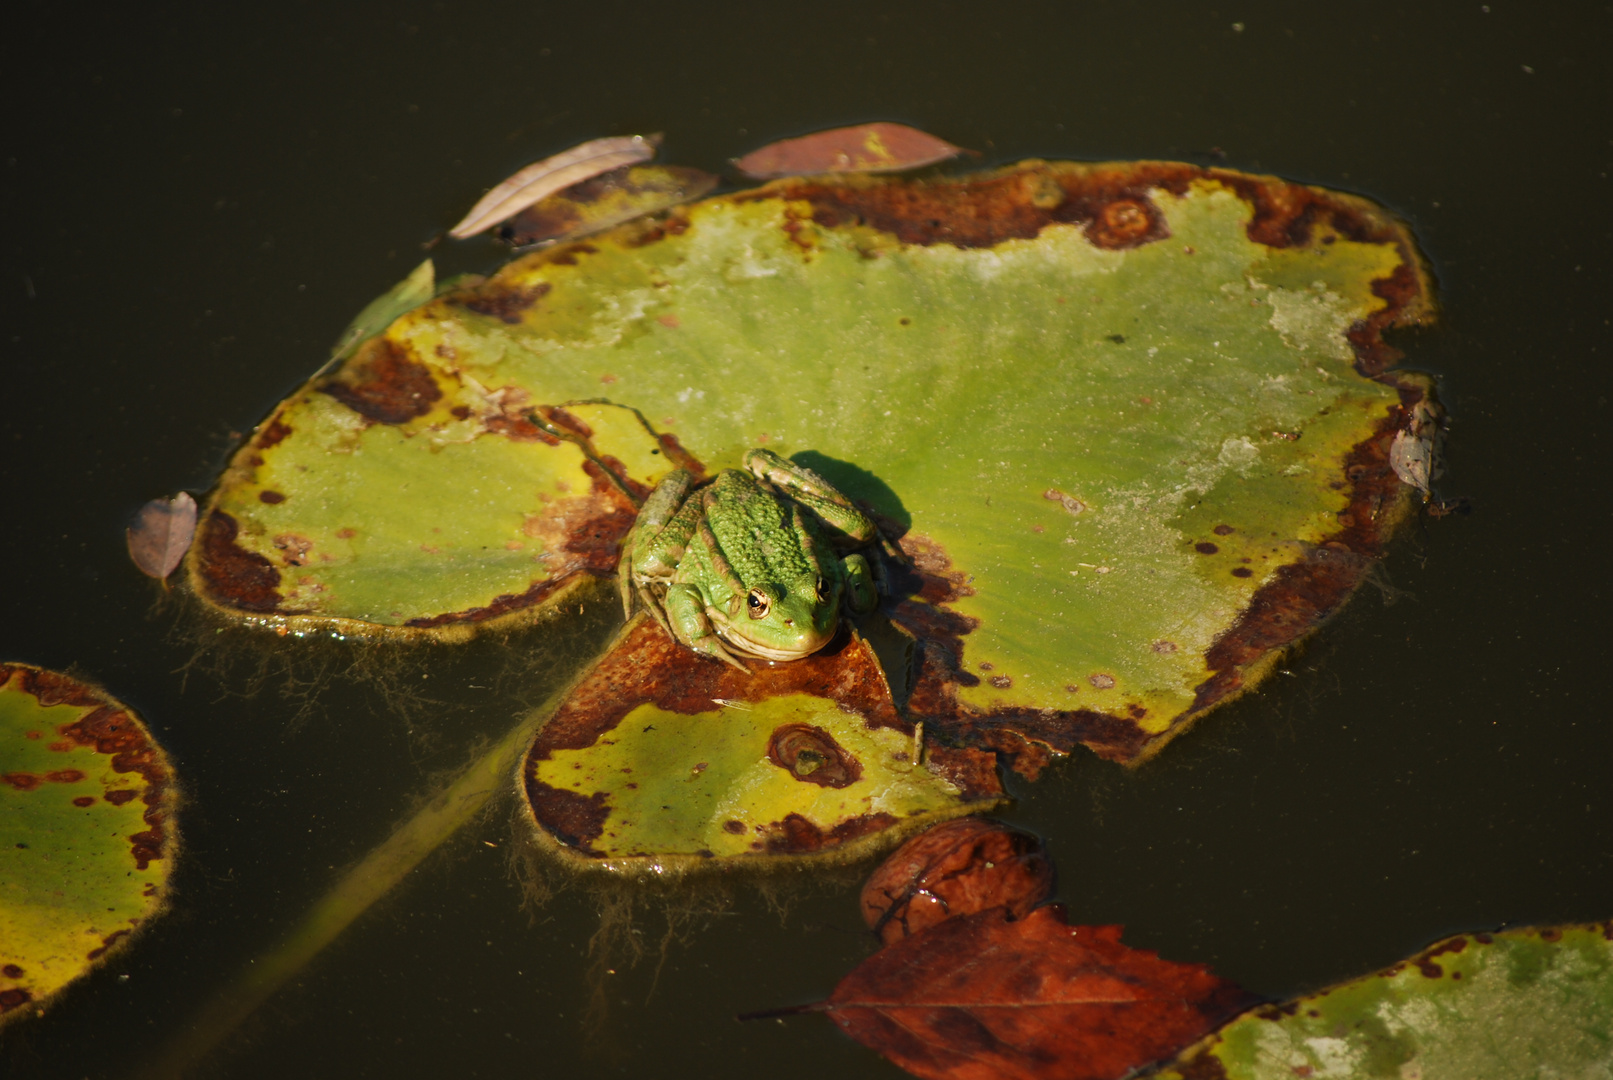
x,y
86,802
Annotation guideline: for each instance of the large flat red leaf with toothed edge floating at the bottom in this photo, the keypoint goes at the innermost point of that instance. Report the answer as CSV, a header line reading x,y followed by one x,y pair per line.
x,y
985,999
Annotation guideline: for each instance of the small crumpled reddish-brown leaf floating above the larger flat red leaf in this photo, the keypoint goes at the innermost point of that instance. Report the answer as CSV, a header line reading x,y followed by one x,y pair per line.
x,y
956,870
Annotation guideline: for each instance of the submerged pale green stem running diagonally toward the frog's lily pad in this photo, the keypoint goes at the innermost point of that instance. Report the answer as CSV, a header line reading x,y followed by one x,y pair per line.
x,y
364,886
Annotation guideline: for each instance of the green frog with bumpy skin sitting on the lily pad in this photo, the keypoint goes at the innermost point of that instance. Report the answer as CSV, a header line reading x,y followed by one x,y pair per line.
x,y
756,563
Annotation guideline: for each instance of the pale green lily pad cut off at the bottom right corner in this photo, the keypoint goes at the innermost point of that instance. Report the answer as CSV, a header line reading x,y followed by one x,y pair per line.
x,y
1480,1007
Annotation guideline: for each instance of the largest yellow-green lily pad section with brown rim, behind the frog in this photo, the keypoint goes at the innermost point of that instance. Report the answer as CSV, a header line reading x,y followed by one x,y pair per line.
x,y
1132,422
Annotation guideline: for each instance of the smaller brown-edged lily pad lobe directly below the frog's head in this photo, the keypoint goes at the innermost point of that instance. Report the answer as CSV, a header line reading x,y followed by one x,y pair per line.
x,y
662,760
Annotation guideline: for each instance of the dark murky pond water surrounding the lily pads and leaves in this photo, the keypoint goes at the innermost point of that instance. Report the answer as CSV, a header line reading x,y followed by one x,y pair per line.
x,y
196,202
